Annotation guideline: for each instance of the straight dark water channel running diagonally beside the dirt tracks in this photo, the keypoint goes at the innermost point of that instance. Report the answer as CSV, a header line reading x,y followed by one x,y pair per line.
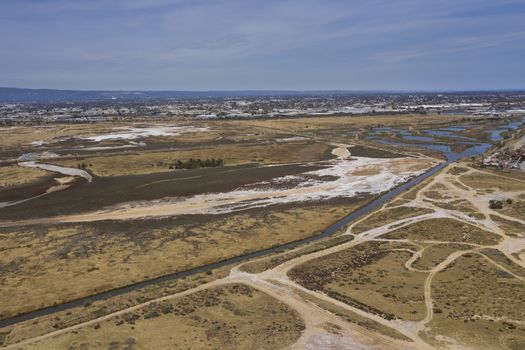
x,y
476,149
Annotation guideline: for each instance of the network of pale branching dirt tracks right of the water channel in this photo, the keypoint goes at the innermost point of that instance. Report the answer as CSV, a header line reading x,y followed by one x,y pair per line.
x,y
276,283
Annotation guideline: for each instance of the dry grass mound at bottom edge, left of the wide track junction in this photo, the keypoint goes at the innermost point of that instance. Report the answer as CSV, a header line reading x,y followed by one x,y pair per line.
x,y
233,316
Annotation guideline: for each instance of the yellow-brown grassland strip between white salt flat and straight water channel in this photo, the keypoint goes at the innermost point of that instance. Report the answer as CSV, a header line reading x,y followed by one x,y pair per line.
x,y
44,265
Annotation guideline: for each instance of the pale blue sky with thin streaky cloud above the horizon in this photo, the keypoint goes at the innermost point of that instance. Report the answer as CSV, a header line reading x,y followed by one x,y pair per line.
x,y
256,44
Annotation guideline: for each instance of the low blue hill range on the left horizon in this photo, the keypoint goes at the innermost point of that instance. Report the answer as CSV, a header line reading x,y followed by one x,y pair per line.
x,y
11,95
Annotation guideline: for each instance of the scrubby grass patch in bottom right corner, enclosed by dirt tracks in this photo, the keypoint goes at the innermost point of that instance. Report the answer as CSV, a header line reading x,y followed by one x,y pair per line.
x,y
477,304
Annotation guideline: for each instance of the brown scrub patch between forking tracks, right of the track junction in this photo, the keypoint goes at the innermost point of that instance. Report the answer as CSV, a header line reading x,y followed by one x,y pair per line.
x,y
371,277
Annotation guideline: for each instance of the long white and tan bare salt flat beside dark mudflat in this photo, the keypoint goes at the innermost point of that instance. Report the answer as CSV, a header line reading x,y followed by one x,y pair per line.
x,y
352,177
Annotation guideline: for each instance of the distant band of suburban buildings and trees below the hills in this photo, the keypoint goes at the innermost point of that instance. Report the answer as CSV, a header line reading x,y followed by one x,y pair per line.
x,y
491,104
